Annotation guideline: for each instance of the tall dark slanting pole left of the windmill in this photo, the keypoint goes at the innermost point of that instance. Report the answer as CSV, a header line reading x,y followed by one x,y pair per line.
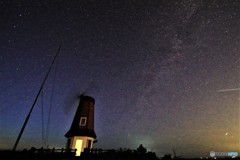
x,y
40,90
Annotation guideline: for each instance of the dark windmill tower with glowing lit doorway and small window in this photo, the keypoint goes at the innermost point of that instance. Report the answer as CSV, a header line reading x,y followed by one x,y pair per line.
x,y
81,134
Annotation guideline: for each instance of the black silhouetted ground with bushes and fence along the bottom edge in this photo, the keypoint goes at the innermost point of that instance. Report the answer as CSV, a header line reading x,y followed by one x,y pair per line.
x,y
94,154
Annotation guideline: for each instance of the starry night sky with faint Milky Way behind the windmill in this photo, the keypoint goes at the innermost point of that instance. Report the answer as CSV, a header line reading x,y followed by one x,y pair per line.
x,y
155,69
